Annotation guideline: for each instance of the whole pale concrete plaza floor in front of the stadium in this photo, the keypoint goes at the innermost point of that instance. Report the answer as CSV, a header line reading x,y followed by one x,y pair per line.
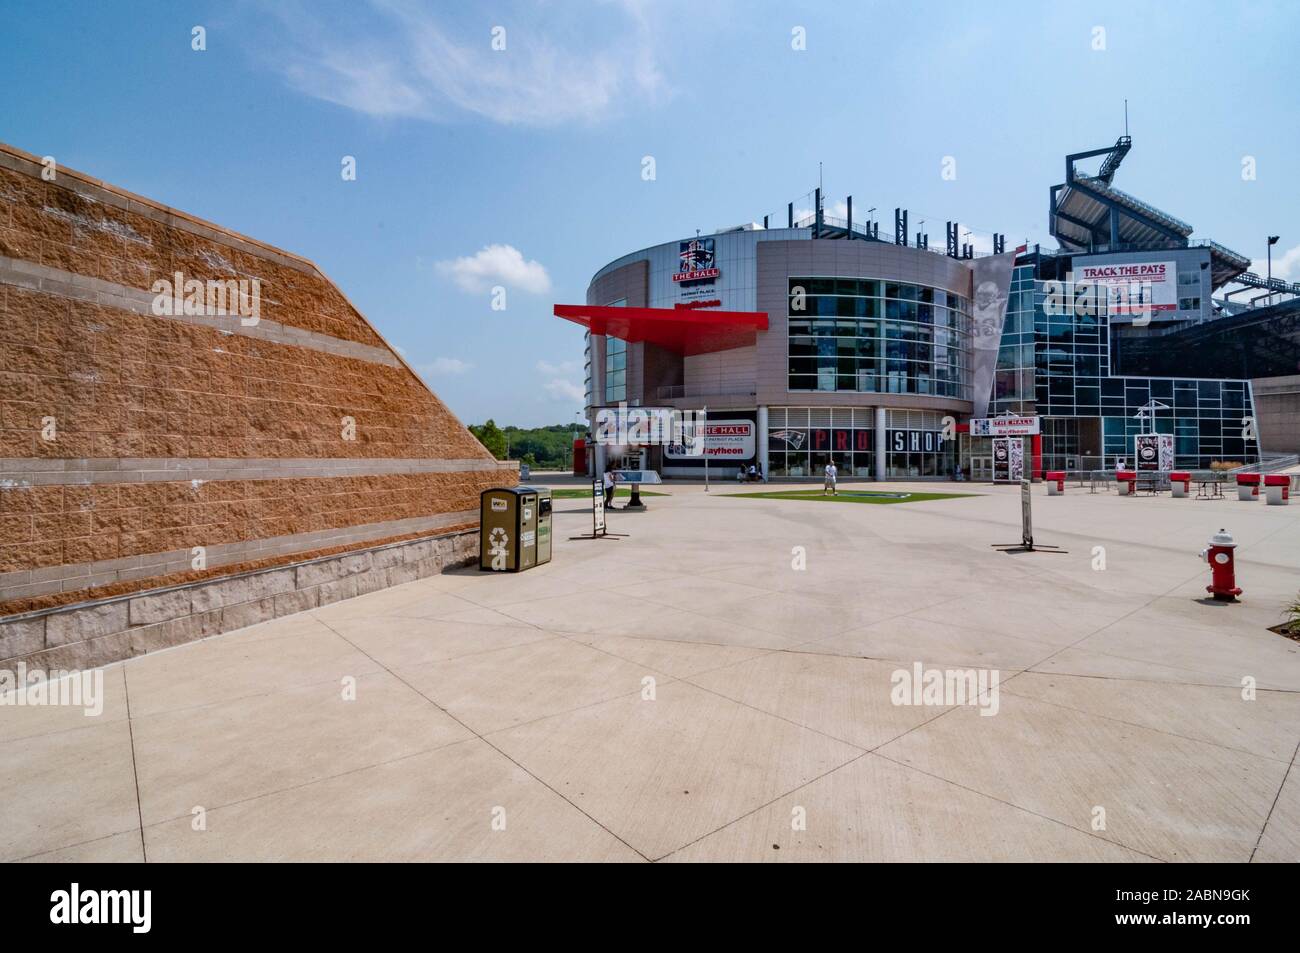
x,y
687,694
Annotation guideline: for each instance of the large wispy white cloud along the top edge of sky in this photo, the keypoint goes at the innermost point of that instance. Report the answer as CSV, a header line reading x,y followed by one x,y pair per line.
x,y
398,59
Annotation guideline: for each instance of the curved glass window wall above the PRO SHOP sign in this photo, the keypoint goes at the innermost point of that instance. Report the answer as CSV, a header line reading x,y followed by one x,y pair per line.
x,y
869,336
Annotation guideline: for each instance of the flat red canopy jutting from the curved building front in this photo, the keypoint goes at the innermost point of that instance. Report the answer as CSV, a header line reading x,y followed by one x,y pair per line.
x,y
684,331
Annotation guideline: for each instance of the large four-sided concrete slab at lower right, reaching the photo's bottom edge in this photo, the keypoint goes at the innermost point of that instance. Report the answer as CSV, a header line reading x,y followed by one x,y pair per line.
x,y
1164,796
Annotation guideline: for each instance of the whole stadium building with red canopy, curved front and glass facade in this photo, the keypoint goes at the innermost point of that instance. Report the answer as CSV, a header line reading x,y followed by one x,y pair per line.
x,y
827,340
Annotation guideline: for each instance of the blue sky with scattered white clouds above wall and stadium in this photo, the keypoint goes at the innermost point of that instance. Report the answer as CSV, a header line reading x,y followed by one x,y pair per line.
x,y
535,153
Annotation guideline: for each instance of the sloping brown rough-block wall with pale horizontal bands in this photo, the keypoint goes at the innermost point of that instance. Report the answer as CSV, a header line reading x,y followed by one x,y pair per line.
x,y
132,436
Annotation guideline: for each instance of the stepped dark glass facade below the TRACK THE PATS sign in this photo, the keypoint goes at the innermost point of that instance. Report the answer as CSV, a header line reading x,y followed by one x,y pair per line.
x,y
1091,414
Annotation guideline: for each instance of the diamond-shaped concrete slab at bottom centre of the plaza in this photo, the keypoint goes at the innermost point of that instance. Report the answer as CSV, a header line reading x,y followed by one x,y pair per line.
x,y
662,774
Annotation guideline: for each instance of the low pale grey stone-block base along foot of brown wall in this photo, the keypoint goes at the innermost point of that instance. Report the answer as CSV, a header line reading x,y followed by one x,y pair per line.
x,y
89,635
